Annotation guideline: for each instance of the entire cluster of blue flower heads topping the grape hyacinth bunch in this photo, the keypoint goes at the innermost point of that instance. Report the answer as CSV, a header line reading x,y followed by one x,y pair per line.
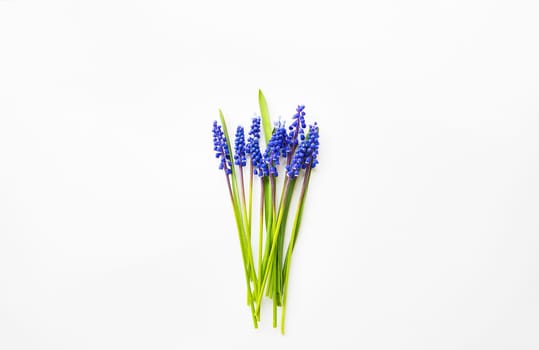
x,y
299,150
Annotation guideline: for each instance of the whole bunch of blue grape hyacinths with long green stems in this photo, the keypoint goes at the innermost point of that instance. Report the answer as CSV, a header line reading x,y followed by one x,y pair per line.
x,y
291,151
